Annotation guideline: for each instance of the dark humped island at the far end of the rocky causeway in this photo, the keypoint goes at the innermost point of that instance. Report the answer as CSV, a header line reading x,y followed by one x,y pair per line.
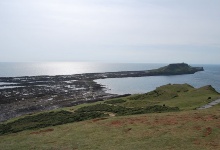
x,y
176,69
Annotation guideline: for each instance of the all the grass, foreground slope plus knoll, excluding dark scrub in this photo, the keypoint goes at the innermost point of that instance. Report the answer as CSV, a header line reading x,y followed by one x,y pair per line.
x,y
186,129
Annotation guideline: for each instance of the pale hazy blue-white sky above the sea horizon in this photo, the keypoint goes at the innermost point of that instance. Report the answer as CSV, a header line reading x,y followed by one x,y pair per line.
x,y
125,31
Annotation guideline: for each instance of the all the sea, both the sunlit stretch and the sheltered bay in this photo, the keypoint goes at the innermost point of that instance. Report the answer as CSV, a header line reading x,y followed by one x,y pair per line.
x,y
210,75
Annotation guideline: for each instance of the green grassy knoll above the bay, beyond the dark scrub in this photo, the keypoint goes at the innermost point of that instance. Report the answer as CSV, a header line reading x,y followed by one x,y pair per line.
x,y
183,96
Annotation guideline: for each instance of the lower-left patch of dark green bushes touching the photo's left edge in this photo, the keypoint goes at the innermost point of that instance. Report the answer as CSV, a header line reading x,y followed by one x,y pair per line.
x,y
46,119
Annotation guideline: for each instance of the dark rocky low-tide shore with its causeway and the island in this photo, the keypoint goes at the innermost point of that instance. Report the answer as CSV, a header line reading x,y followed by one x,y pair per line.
x,y
29,94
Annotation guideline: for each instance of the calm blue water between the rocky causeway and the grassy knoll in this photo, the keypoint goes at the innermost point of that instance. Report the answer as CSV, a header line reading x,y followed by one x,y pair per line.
x,y
210,76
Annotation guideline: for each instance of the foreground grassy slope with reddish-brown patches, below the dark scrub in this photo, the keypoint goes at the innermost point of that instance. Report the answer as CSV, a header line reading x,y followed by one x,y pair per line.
x,y
196,130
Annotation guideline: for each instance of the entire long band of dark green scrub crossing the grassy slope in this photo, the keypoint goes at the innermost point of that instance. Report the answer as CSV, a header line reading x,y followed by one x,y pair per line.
x,y
84,113
